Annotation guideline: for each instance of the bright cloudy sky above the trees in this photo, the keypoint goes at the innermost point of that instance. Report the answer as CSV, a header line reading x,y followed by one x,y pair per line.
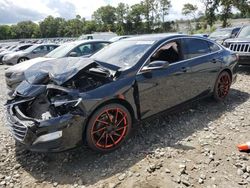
x,y
13,11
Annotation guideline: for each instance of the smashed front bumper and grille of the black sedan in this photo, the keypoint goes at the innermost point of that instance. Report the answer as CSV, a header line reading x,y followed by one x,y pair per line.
x,y
52,135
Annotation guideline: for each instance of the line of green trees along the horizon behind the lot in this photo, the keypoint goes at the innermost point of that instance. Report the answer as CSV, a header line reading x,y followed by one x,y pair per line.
x,y
148,16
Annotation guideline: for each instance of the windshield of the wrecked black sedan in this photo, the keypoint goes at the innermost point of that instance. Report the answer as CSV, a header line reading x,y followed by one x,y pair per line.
x,y
124,54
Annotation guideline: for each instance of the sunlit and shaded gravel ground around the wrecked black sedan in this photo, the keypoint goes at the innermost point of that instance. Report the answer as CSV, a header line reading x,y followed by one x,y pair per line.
x,y
194,147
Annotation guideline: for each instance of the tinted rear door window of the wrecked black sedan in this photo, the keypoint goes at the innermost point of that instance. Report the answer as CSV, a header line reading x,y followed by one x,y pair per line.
x,y
195,48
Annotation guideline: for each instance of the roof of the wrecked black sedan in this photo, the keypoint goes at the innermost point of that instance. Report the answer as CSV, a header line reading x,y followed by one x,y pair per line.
x,y
154,37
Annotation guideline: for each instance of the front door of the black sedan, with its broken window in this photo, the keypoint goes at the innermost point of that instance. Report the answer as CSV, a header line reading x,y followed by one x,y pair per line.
x,y
164,88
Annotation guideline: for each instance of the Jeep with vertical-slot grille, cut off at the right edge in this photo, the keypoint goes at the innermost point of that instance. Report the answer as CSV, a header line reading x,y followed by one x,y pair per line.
x,y
241,45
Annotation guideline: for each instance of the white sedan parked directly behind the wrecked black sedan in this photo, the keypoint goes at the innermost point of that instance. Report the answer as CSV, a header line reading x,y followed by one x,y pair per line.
x,y
15,74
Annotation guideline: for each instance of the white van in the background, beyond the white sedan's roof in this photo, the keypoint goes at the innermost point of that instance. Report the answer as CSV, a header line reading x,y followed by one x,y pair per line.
x,y
98,35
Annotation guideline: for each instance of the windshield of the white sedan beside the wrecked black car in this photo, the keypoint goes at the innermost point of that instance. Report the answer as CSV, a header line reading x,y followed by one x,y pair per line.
x,y
61,51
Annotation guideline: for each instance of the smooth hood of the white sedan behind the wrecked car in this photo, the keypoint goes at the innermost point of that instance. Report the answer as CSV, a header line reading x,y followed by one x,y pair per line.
x,y
21,67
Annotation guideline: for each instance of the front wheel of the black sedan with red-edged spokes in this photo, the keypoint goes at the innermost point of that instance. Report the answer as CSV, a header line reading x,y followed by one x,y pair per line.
x,y
108,128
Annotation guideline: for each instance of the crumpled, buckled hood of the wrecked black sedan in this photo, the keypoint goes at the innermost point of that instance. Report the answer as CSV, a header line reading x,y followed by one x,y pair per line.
x,y
59,70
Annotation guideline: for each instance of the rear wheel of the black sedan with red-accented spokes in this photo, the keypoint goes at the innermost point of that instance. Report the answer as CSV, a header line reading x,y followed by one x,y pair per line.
x,y
222,86
